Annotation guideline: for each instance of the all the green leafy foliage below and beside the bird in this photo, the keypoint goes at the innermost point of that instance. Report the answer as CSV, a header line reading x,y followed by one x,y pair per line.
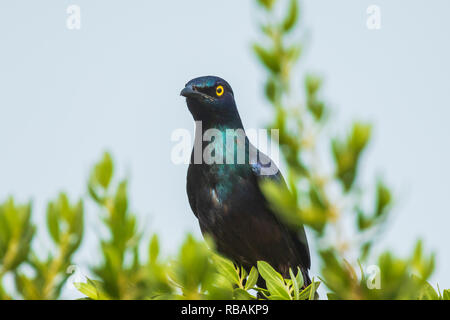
x,y
331,204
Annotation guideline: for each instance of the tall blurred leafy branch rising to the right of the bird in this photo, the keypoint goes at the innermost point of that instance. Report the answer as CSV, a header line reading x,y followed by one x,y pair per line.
x,y
327,201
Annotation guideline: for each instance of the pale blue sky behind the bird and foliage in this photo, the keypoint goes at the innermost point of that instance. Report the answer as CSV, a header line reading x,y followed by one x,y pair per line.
x,y
65,96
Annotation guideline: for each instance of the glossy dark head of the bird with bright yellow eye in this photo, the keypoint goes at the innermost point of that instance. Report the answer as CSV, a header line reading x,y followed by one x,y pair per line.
x,y
210,99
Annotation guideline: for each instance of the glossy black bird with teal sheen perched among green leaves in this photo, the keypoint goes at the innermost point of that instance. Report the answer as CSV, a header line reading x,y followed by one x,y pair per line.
x,y
227,199
